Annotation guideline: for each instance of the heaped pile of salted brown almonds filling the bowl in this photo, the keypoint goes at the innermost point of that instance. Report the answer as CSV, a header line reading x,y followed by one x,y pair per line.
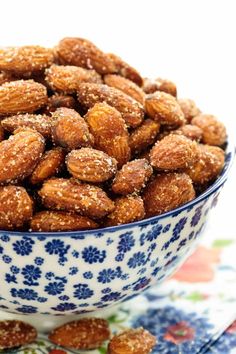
x,y
86,142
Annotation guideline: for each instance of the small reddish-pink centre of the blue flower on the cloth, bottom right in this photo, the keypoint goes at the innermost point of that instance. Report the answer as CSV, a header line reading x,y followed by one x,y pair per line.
x,y
179,333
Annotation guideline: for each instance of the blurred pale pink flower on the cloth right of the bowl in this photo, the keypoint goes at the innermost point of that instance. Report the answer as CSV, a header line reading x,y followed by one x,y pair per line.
x,y
200,266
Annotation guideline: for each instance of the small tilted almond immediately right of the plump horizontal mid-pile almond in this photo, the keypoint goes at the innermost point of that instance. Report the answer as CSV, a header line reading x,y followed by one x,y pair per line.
x,y
132,177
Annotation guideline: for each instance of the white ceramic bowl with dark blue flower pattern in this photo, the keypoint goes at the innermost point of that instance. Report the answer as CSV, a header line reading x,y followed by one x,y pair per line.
x,y
73,273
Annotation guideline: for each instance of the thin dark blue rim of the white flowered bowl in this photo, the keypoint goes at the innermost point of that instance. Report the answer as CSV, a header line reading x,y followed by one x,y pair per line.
x,y
230,153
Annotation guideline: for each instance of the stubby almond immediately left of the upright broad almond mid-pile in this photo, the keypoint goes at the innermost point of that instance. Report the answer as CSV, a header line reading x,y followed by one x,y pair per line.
x,y
70,130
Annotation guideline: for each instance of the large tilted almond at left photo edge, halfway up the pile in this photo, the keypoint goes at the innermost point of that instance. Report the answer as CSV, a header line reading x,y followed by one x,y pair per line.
x,y
19,155
